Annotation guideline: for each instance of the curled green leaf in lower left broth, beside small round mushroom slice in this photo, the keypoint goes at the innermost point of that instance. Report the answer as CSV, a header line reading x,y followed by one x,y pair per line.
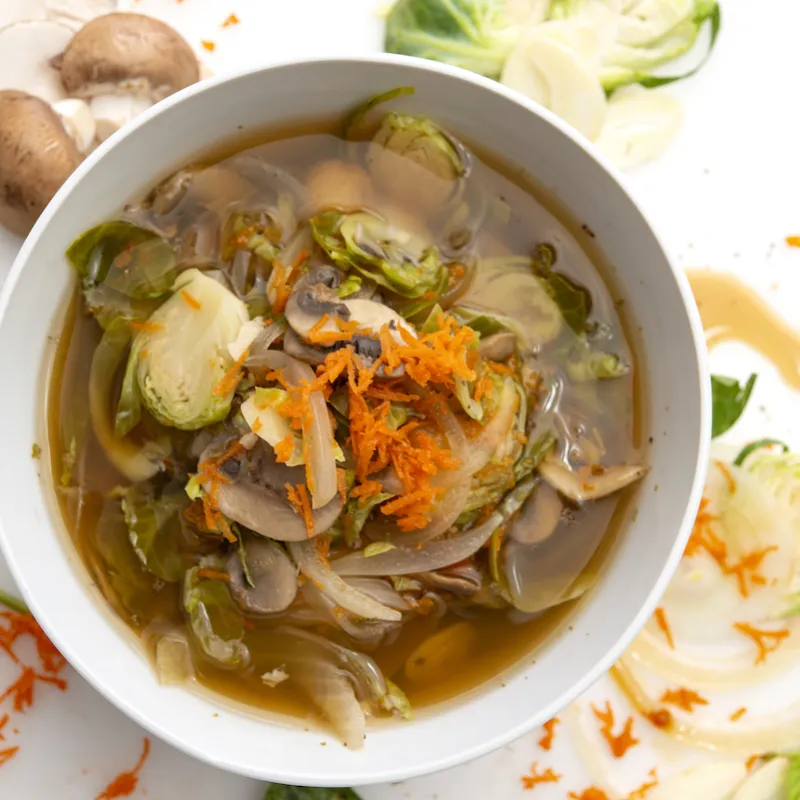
x,y
215,620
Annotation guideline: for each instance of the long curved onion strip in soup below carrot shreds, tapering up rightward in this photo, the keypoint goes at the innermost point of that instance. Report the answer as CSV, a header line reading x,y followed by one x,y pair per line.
x,y
408,560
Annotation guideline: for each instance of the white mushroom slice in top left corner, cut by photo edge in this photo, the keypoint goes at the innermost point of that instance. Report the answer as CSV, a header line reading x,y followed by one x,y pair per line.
x,y
26,51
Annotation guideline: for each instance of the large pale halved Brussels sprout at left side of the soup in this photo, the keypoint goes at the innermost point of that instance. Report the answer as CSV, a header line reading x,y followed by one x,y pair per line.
x,y
185,378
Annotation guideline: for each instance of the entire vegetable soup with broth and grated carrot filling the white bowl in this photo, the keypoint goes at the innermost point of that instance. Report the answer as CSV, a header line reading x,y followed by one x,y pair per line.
x,y
342,421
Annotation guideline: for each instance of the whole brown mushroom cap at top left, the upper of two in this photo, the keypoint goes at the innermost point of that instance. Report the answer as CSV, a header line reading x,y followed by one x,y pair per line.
x,y
127,52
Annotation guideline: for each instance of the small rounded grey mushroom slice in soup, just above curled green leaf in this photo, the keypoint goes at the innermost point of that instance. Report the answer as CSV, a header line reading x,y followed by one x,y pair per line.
x,y
273,575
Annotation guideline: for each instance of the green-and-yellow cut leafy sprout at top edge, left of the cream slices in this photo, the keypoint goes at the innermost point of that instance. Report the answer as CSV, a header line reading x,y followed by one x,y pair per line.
x,y
477,35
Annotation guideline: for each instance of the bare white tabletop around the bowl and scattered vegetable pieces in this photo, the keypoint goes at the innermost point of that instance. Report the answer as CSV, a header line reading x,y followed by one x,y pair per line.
x,y
724,197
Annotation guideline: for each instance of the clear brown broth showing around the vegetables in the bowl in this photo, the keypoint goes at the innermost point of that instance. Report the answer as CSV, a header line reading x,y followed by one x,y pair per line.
x,y
609,412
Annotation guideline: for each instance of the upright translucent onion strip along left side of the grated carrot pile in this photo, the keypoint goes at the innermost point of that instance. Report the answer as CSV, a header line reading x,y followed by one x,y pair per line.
x,y
318,434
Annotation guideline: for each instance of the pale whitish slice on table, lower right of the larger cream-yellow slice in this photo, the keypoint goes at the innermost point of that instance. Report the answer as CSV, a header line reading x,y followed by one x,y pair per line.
x,y
640,124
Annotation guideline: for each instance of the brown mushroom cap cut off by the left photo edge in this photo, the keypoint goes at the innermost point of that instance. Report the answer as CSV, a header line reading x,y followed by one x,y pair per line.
x,y
36,156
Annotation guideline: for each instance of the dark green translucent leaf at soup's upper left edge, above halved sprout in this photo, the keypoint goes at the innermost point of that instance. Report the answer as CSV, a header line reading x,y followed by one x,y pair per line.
x,y
125,258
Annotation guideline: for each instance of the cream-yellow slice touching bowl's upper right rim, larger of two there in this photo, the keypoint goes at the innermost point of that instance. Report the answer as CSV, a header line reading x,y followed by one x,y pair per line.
x,y
555,76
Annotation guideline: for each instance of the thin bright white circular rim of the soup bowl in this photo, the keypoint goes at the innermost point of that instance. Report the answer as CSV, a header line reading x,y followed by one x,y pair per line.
x,y
613,652
